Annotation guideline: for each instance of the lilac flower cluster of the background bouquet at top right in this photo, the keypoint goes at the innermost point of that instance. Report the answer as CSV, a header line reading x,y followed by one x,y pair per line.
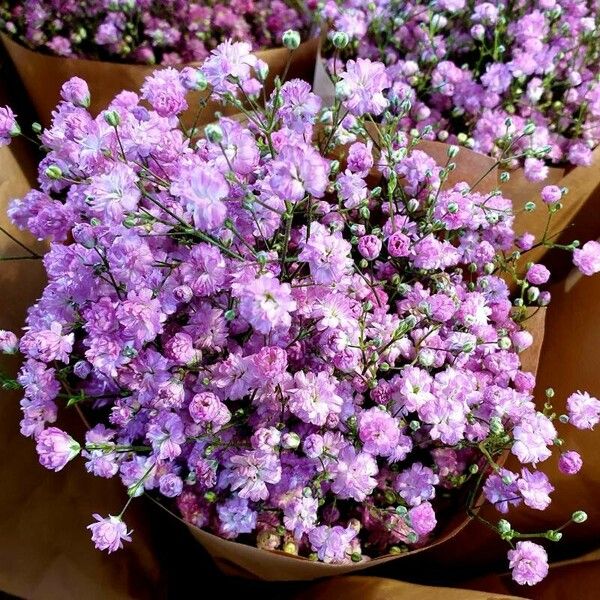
x,y
476,70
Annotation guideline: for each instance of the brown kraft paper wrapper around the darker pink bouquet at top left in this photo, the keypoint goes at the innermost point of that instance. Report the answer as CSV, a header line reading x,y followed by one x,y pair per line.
x,y
43,75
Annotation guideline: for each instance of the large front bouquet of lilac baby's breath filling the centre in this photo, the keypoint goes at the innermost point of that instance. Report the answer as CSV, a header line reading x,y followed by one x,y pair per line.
x,y
296,330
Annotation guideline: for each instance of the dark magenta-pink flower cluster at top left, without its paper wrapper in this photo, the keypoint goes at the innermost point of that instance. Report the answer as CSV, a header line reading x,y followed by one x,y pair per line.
x,y
146,31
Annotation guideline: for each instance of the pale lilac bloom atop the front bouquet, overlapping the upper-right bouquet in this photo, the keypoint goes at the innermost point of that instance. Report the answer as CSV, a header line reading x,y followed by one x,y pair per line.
x,y
362,84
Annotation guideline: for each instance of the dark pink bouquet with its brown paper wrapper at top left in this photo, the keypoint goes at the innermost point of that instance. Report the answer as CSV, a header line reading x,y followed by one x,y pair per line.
x,y
114,46
